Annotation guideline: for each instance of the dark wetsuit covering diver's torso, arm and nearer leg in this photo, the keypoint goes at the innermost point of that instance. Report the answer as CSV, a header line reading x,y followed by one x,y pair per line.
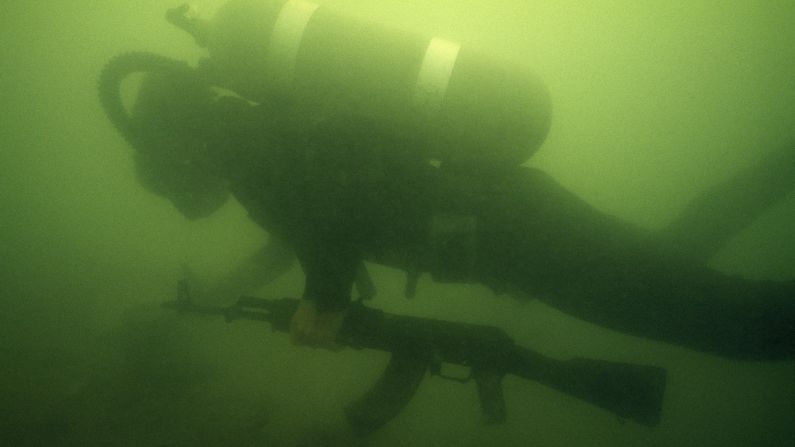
x,y
339,199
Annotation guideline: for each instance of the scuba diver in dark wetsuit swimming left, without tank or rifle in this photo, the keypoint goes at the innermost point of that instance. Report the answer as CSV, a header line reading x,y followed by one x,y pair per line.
x,y
336,200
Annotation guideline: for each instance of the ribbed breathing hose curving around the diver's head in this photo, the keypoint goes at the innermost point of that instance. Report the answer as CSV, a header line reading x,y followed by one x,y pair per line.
x,y
114,73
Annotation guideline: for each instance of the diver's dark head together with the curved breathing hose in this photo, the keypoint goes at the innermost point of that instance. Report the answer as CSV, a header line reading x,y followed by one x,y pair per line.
x,y
170,128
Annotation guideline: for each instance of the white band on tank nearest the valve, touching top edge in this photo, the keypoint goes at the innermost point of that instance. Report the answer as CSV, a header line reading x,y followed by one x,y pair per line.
x,y
288,31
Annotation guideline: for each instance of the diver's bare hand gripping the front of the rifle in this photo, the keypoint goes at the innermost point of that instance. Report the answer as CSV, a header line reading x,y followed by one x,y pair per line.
x,y
317,329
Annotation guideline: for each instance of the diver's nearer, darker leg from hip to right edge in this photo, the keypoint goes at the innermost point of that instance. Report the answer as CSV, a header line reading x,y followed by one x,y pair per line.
x,y
544,241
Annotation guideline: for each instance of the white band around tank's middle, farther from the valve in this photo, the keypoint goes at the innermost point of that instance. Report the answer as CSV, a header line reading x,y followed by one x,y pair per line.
x,y
437,67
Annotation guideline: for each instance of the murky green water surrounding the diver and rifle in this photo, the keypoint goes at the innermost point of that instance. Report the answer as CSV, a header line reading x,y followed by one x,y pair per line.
x,y
653,103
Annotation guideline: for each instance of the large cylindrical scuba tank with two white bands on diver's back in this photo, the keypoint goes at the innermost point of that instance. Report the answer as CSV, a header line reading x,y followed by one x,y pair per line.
x,y
460,106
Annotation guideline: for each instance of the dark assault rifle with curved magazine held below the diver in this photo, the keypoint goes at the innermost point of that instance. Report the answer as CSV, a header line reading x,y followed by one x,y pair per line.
x,y
419,344
